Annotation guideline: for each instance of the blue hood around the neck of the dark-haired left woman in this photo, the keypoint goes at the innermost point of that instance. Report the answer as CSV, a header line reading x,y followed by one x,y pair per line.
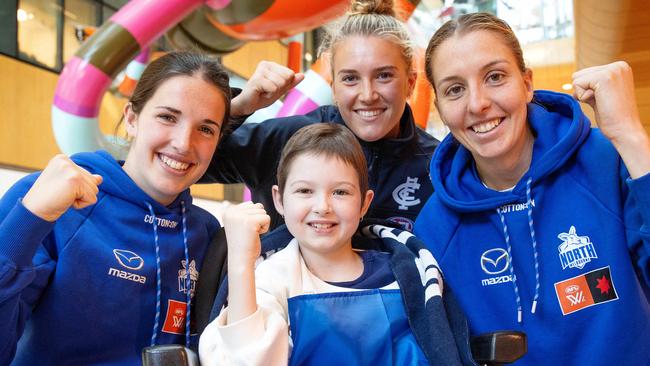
x,y
117,183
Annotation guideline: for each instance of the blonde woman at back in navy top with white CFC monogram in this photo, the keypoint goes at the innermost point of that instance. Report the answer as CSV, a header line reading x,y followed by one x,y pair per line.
x,y
371,59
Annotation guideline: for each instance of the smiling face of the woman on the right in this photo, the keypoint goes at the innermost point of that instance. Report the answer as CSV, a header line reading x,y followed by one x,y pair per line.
x,y
481,95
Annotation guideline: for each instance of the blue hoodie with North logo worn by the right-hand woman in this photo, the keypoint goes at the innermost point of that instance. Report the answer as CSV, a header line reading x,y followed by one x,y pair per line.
x,y
563,257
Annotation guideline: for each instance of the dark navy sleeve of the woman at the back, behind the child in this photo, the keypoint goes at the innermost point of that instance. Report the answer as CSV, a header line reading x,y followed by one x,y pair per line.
x,y
251,153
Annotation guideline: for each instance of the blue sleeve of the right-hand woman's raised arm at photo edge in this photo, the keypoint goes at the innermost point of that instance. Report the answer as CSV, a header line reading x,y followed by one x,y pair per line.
x,y
637,223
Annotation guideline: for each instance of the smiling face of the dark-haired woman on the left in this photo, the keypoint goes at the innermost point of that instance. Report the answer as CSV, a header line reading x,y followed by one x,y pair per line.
x,y
174,136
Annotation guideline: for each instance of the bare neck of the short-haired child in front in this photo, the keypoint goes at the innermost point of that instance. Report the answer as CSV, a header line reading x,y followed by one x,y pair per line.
x,y
342,266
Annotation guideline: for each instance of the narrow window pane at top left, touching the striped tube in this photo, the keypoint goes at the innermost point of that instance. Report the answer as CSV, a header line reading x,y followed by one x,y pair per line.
x,y
78,14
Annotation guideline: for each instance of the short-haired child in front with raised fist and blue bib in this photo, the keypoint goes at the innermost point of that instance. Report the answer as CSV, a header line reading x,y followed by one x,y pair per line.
x,y
319,301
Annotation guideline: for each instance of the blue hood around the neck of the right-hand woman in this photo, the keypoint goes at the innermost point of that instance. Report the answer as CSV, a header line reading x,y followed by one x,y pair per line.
x,y
453,171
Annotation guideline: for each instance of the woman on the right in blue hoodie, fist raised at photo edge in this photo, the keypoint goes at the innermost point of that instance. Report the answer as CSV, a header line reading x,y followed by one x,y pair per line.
x,y
539,221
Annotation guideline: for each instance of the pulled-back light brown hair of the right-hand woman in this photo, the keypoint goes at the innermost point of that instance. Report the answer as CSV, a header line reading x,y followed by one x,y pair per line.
x,y
469,23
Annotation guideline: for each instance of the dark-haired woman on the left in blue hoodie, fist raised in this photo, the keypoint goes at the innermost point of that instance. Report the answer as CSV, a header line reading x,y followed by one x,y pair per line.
x,y
99,258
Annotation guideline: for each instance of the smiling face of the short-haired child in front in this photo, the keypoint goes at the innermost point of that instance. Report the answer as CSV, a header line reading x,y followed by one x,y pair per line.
x,y
322,204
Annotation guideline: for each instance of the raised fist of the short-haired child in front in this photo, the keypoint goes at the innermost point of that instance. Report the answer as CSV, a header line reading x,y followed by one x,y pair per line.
x,y
244,223
